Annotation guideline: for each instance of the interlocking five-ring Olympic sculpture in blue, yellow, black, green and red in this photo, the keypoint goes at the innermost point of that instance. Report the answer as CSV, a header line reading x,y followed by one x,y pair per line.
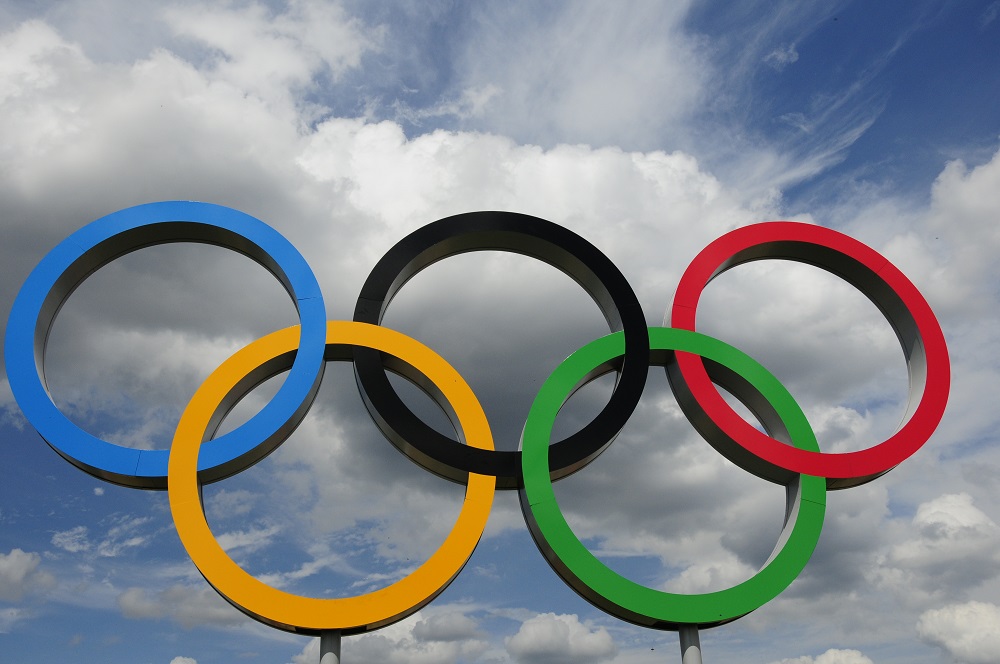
x,y
696,365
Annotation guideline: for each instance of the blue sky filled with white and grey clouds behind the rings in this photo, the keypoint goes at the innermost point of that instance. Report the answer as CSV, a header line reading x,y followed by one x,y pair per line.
x,y
648,128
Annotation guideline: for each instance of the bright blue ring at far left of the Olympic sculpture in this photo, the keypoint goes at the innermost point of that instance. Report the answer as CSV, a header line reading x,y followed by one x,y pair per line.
x,y
69,263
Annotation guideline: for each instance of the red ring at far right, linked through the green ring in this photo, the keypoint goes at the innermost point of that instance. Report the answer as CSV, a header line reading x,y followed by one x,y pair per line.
x,y
896,297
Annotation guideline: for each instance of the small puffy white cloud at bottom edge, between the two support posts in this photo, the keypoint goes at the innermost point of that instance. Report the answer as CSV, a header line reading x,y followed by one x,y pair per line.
x,y
560,639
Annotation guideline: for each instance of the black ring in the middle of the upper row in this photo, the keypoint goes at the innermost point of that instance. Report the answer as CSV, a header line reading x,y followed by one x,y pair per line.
x,y
522,234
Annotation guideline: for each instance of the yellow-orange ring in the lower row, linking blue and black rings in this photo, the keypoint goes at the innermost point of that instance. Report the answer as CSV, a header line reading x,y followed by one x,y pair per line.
x,y
295,613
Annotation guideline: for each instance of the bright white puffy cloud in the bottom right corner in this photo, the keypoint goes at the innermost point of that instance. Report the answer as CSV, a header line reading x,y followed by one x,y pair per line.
x,y
968,632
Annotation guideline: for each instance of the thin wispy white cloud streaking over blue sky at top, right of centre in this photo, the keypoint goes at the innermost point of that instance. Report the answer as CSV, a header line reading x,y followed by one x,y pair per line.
x,y
646,77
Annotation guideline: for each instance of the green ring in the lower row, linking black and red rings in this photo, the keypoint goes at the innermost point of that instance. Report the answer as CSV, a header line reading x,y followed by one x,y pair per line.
x,y
608,590
